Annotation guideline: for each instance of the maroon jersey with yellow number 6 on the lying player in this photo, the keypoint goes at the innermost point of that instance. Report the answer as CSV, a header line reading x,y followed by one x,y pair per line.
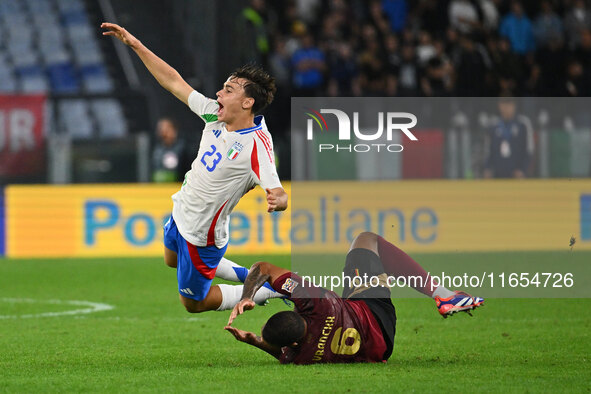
x,y
339,330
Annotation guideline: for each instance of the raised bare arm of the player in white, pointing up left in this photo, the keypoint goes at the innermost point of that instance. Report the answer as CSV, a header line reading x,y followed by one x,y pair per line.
x,y
166,76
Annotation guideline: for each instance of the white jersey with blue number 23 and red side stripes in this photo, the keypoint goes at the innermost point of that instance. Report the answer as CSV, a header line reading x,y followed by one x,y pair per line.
x,y
227,166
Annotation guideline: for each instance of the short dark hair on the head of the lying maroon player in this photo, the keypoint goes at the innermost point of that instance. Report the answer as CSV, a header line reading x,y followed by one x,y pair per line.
x,y
284,328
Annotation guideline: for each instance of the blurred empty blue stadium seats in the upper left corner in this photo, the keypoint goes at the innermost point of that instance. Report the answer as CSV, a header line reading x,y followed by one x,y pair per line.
x,y
51,47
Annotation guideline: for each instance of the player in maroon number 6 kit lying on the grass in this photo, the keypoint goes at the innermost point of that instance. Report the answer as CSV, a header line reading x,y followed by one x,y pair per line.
x,y
357,327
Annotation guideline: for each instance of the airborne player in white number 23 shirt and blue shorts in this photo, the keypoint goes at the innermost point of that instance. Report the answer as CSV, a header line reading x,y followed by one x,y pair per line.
x,y
235,155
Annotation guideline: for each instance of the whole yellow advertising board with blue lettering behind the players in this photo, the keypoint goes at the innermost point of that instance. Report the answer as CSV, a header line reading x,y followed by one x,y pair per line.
x,y
426,216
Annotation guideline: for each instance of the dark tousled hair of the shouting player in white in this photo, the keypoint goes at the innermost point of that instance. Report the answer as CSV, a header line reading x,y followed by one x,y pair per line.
x,y
260,86
